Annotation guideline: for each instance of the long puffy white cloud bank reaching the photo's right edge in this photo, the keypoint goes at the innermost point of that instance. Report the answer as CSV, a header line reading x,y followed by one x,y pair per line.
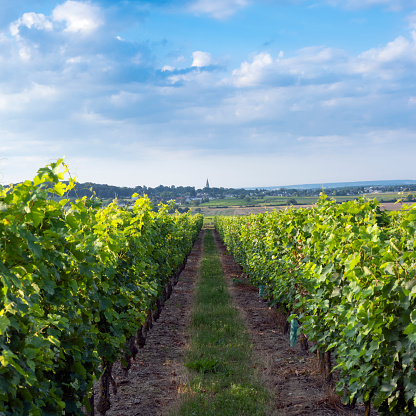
x,y
328,65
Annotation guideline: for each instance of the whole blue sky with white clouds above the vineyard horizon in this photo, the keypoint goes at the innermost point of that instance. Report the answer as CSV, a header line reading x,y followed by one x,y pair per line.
x,y
246,93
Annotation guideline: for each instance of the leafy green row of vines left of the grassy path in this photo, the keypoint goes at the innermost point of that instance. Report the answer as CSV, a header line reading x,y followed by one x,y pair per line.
x,y
78,282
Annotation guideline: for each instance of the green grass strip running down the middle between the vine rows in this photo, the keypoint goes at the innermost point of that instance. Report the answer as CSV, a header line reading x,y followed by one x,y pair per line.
x,y
222,378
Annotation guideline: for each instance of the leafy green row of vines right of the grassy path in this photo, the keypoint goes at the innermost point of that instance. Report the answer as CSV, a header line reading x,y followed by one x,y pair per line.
x,y
347,273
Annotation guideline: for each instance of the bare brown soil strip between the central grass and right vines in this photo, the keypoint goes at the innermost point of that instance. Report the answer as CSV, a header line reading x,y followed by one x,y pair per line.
x,y
289,372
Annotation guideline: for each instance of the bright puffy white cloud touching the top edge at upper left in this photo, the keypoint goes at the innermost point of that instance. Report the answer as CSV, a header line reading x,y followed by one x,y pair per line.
x,y
79,17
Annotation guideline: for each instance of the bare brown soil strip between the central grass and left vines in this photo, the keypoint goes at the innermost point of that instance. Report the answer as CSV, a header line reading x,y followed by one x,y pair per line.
x,y
151,386
